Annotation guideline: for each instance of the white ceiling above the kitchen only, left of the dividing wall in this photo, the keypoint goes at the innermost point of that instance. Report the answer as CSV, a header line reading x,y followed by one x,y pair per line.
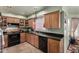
x,y
21,10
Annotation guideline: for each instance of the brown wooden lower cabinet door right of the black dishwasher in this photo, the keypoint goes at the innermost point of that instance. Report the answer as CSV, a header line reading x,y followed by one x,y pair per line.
x,y
53,46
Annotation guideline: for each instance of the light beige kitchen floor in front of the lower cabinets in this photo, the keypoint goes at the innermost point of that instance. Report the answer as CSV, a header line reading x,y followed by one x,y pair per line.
x,y
22,48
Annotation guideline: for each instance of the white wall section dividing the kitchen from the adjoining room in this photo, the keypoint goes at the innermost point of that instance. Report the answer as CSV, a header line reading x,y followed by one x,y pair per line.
x,y
67,27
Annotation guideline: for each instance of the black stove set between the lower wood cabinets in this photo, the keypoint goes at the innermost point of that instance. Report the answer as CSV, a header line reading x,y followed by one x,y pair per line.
x,y
13,38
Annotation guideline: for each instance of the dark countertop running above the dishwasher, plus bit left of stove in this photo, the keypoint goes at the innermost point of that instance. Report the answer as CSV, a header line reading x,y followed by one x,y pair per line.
x,y
48,35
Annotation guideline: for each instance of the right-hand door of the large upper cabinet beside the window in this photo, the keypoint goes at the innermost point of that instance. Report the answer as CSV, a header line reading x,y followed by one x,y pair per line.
x,y
55,21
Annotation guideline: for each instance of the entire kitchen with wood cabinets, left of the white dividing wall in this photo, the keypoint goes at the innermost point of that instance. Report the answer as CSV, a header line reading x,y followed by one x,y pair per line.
x,y
32,29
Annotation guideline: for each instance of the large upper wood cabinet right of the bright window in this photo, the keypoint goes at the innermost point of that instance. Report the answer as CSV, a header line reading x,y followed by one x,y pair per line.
x,y
52,20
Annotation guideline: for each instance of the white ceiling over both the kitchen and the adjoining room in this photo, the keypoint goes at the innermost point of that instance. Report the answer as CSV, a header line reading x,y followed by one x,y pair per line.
x,y
28,10
